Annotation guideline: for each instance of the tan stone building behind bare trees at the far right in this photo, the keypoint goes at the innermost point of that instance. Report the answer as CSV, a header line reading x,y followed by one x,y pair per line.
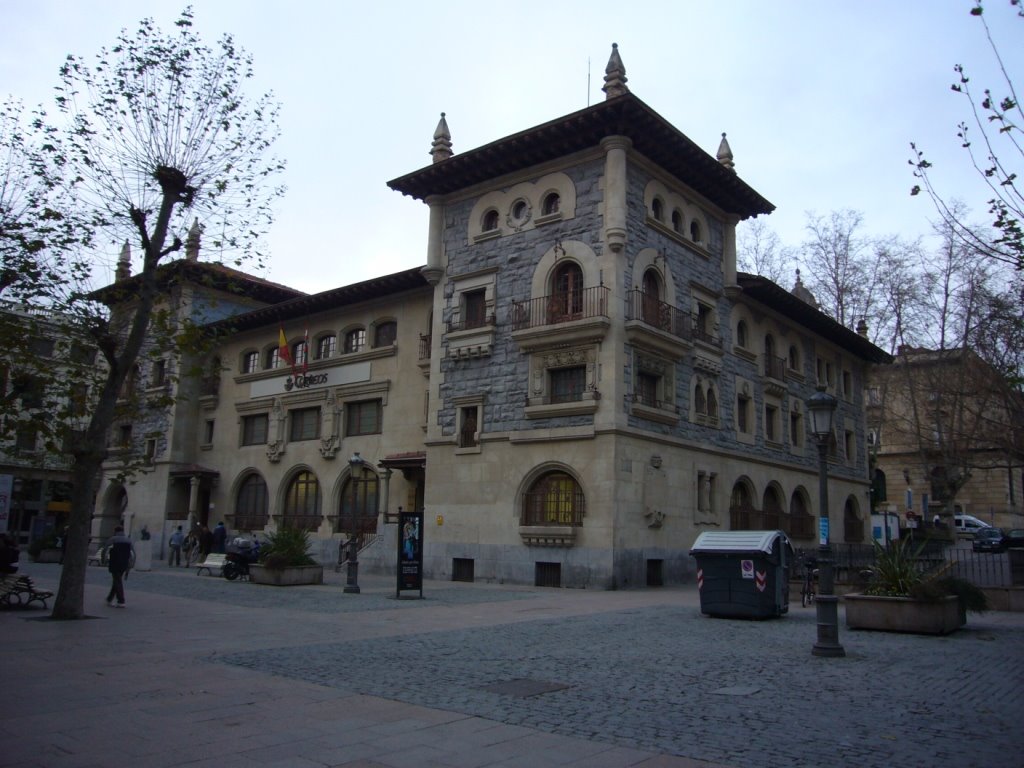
x,y
947,436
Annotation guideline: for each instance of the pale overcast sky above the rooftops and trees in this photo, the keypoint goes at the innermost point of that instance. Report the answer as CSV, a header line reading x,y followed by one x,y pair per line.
x,y
821,100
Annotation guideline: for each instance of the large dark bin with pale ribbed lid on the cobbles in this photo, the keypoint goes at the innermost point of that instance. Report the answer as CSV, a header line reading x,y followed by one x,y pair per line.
x,y
744,574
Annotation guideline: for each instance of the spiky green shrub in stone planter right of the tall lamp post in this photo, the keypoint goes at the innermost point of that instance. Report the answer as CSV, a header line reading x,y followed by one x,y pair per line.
x,y
901,599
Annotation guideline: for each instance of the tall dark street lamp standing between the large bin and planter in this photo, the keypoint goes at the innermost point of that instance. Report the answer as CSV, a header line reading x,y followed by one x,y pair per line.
x,y
823,408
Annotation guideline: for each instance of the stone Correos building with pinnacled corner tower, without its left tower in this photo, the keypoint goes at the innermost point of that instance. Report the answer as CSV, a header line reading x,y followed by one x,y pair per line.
x,y
575,387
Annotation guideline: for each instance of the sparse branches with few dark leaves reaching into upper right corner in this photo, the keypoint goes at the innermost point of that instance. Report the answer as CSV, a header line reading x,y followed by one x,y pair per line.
x,y
992,138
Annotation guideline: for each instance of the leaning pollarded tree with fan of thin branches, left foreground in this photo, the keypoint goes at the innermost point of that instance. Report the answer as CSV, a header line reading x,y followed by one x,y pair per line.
x,y
159,133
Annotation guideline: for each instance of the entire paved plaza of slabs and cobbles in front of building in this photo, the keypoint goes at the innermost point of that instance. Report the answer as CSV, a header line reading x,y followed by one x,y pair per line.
x,y
203,672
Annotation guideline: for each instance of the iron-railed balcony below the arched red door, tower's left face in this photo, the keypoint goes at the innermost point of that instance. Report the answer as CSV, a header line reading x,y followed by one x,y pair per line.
x,y
572,318
